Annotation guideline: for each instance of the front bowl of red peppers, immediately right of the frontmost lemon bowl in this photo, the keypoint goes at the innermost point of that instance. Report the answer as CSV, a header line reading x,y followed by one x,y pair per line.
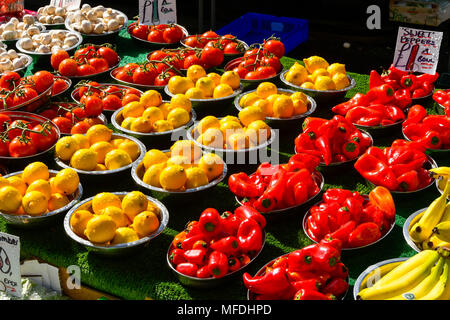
x,y
217,247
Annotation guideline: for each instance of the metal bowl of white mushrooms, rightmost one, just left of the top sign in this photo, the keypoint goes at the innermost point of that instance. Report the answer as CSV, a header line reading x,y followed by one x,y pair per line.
x,y
97,24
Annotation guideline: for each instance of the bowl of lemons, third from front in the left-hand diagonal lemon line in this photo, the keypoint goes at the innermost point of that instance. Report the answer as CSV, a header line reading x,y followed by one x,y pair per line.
x,y
155,122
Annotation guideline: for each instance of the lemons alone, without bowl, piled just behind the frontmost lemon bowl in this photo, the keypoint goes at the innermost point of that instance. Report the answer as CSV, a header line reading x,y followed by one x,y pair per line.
x,y
183,167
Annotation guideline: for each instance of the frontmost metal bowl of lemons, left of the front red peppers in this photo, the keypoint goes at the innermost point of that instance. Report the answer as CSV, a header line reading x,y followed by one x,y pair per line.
x,y
116,223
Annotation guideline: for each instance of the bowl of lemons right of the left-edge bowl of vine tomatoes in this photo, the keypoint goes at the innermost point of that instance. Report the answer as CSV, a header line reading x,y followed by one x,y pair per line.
x,y
99,154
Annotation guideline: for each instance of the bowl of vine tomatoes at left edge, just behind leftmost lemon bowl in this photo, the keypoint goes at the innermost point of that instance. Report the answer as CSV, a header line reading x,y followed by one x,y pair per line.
x,y
26,137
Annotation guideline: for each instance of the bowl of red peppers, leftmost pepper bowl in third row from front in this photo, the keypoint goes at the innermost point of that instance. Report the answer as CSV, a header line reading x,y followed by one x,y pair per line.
x,y
337,142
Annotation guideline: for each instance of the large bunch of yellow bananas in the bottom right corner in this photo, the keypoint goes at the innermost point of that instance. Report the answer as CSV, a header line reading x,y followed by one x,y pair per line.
x,y
424,276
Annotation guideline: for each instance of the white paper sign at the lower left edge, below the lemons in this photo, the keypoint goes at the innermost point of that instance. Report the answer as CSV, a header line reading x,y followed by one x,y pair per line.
x,y
10,277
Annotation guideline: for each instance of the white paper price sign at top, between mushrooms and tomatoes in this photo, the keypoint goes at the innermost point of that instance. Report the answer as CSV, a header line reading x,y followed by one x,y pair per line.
x,y
152,12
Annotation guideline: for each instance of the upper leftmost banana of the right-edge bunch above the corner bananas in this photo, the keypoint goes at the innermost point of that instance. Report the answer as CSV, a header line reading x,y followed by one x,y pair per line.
x,y
423,229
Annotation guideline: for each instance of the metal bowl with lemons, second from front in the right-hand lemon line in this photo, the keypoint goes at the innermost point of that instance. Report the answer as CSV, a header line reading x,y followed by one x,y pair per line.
x,y
181,171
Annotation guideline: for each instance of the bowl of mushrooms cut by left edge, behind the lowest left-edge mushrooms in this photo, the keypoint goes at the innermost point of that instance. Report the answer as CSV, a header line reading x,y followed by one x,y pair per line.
x,y
14,29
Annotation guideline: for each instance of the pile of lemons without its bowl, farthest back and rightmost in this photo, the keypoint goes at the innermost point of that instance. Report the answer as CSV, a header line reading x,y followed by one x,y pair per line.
x,y
318,74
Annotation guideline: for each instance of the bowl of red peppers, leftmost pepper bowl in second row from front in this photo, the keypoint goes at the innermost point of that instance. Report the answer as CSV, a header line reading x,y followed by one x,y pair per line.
x,y
279,190
